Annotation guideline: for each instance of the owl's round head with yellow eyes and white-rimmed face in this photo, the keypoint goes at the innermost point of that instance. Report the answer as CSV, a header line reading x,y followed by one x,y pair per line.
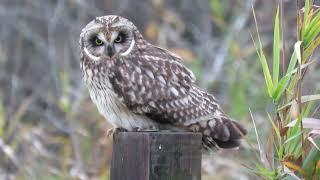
x,y
108,37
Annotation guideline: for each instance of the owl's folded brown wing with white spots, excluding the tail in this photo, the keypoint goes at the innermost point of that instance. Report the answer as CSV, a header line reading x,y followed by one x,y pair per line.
x,y
154,82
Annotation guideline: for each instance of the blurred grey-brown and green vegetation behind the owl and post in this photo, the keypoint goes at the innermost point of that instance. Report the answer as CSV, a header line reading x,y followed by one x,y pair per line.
x,y
49,128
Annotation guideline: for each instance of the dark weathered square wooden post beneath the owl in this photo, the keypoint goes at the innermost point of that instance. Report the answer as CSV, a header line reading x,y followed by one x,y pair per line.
x,y
156,156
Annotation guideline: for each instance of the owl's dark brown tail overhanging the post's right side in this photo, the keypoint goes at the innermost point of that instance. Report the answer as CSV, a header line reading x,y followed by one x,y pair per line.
x,y
219,132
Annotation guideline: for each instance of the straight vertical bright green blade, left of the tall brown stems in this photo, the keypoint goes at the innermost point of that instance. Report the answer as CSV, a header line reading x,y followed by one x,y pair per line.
x,y
276,49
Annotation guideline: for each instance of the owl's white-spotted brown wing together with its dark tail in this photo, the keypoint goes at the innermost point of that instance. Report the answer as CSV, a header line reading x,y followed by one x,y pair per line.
x,y
154,83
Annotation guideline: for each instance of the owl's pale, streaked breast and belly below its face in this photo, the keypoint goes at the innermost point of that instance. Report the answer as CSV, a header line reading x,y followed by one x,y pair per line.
x,y
111,106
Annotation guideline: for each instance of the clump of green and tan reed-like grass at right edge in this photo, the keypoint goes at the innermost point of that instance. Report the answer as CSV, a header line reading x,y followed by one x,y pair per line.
x,y
292,149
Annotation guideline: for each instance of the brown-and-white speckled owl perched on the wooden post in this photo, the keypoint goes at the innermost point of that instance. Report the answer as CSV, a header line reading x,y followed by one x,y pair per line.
x,y
137,85
